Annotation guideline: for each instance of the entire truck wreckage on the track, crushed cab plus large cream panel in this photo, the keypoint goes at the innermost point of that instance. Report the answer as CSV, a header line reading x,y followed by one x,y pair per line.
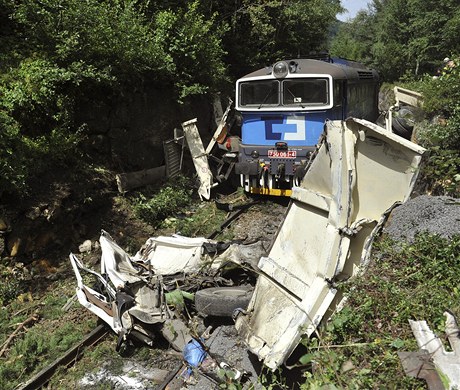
x,y
277,297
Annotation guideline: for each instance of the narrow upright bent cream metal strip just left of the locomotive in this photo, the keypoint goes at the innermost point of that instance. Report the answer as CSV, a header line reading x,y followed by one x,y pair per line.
x,y
200,158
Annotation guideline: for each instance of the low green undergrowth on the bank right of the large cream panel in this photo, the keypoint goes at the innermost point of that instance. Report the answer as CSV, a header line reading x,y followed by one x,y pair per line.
x,y
358,347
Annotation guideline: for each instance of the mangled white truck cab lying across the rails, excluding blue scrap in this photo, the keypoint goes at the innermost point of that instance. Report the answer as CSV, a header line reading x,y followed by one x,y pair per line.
x,y
139,296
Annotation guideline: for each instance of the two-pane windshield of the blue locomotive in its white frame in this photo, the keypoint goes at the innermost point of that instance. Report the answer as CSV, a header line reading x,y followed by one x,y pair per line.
x,y
296,92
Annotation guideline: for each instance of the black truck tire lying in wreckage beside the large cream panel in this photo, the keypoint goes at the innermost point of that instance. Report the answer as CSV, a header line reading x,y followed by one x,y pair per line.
x,y
222,301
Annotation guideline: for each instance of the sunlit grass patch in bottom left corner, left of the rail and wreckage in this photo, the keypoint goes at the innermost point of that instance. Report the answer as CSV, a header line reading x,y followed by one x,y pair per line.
x,y
42,341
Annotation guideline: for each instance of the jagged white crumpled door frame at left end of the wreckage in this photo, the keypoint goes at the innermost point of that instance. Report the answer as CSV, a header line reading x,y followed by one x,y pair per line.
x,y
113,304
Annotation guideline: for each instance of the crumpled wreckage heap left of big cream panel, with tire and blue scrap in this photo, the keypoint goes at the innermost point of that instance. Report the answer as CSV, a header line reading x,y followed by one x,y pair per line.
x,y
162,290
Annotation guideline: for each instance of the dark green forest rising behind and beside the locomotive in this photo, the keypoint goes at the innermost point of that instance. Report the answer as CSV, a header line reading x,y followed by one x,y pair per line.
x,y
105,80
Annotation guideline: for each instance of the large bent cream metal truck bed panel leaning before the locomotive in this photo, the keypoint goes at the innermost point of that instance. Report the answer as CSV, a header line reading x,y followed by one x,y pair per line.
x,y
359,174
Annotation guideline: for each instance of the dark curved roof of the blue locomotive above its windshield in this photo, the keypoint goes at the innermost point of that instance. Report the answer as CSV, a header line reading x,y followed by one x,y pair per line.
x,y
337,68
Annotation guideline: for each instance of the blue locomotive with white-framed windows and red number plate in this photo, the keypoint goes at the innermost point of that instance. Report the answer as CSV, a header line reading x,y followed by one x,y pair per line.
x,y
283,110
